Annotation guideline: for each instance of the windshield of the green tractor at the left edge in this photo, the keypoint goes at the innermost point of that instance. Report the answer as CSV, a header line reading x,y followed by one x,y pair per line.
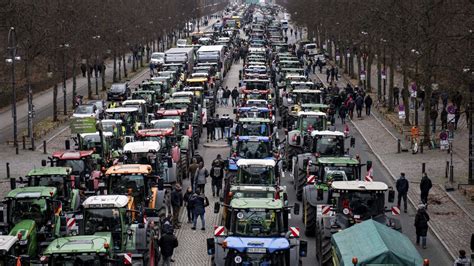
x,y
30,208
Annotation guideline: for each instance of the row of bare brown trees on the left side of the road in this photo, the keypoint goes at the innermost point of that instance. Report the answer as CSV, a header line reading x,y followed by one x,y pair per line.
x,y
56,36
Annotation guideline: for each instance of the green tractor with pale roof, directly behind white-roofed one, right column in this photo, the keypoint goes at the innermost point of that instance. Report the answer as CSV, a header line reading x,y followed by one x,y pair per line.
x,y
298,140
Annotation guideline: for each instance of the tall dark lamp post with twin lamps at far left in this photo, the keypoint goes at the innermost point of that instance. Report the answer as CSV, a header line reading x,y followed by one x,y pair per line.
x,y
13,58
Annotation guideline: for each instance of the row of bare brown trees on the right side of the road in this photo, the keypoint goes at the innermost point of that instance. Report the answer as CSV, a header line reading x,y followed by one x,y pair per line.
x,y
429,41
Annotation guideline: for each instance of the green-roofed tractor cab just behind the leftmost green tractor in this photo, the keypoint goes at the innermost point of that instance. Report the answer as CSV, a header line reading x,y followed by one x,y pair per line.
x,y
61,179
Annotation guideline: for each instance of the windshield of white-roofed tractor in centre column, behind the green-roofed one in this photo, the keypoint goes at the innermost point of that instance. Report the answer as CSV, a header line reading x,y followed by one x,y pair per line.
x,y
256,175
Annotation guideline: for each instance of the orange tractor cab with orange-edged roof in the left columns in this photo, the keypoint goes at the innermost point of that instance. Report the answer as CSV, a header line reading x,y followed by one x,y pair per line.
x,y
137,182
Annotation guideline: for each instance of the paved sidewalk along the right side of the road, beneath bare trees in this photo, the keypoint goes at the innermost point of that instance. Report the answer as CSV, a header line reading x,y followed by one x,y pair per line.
x,y
451,213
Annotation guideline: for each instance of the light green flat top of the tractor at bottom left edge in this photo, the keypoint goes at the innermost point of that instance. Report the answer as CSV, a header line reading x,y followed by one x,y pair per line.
x,y
80,244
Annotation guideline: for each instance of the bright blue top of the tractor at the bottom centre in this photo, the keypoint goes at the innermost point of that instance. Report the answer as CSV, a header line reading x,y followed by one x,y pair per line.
x,y
270,244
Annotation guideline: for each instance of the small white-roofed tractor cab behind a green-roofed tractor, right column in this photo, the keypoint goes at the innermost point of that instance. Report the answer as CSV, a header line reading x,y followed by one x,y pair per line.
x,y
328,143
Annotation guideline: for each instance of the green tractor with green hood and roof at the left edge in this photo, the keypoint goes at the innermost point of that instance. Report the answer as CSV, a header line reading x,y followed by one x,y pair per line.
x,y
32,214
